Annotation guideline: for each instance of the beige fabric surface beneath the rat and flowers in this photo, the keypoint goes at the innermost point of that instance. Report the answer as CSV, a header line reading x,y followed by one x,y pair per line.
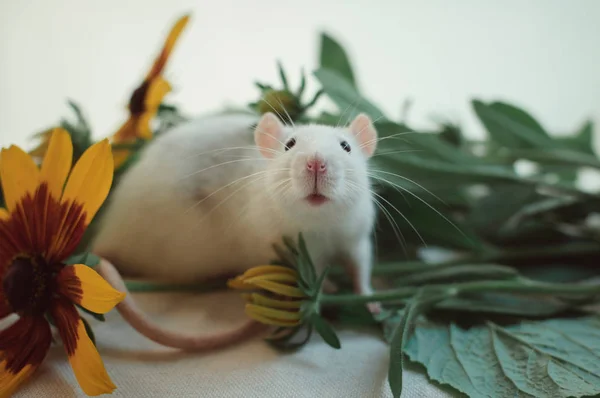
x,y
141,368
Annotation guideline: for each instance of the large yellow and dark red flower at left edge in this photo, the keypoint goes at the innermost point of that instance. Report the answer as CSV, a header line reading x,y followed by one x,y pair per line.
x,y
47,211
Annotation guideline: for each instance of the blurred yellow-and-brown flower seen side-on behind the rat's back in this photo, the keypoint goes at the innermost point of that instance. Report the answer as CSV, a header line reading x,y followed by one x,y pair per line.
x,y
145,100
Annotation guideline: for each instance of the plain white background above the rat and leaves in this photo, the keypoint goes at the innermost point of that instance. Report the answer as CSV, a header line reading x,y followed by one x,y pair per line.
x,y
543,55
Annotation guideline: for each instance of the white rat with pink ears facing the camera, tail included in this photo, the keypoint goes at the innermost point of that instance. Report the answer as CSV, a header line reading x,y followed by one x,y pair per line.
x,y
211,198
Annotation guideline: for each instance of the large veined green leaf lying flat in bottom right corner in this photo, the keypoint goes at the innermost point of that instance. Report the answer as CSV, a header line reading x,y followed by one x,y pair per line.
x,y
553,358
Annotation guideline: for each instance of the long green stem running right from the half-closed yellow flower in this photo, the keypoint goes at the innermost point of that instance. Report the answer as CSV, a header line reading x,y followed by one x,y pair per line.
x,y
515,286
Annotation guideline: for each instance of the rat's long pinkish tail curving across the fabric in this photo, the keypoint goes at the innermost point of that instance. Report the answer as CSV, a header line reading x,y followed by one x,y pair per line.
x,y
140,321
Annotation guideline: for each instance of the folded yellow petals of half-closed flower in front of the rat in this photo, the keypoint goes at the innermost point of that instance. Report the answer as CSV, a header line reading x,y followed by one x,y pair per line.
x,y
277,298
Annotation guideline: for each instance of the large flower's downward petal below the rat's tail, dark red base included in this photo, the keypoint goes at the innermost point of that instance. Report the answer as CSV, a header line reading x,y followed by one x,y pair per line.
x,y
84,358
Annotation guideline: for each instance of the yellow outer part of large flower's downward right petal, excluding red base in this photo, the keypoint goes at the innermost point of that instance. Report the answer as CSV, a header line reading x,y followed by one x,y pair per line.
x,y
88,366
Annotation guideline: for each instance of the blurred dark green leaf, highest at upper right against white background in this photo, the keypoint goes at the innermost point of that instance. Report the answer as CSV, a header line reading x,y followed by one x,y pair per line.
x,y
511,126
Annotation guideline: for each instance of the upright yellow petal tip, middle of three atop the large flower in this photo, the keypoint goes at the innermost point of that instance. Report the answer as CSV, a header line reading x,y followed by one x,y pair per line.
x,y
57,162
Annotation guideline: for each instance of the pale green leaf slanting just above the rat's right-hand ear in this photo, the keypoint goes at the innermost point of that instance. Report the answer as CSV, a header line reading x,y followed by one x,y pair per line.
x,y
345,96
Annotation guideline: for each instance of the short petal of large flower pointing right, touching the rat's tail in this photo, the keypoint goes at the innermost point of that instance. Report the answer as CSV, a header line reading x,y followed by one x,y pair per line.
x,y
86,287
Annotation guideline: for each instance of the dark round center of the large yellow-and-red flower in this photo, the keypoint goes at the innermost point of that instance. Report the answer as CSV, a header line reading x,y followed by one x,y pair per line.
x,y
27,285
